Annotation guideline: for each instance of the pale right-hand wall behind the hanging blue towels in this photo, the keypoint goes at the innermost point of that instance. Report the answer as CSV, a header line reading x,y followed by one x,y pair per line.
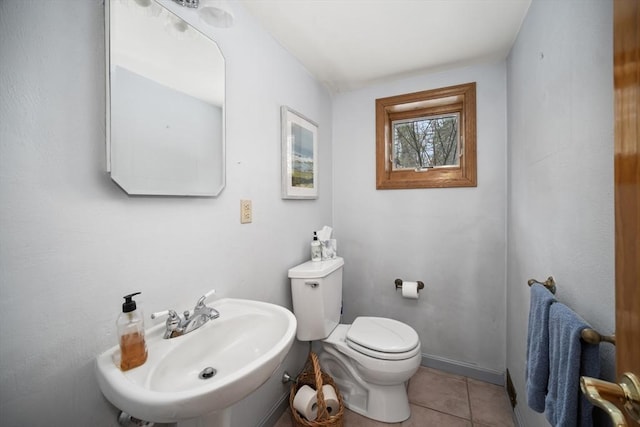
x,y
561,171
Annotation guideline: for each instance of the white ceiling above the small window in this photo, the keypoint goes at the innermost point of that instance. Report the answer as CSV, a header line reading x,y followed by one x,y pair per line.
x,y
348,44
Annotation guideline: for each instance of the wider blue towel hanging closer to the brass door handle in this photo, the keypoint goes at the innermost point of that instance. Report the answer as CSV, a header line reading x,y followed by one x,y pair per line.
x,y
570,358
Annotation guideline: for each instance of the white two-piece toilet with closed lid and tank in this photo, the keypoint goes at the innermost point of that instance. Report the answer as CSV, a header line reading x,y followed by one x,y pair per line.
x,y
370,360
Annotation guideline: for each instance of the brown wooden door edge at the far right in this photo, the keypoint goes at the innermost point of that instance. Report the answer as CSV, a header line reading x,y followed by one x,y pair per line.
x,y
627,183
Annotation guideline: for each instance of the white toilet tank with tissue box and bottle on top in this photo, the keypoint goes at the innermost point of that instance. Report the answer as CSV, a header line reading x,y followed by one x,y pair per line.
x,y
316,290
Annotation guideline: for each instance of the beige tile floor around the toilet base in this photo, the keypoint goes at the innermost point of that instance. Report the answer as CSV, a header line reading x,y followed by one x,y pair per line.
x,y
443,400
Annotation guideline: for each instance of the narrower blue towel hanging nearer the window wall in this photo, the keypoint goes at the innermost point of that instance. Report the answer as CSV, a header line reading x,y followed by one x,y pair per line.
x,y
538,346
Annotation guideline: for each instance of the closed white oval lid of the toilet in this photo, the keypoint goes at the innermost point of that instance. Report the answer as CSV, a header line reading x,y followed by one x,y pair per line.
x,y
382,335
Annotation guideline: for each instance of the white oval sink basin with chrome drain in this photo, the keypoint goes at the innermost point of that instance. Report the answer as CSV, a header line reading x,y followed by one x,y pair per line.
x,y
245,345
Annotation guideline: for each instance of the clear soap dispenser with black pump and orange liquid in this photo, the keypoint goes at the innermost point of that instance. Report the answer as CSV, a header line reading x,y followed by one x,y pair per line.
x,y
130,324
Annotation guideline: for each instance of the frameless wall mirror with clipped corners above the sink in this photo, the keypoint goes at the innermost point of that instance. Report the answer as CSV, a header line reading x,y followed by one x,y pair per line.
x,y
165,103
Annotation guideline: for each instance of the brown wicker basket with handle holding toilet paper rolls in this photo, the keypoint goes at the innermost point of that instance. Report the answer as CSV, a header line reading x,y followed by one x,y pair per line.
x,y
313,376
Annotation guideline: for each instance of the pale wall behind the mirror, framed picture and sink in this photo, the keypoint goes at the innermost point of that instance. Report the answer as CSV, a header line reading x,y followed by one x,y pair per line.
x,y
72,243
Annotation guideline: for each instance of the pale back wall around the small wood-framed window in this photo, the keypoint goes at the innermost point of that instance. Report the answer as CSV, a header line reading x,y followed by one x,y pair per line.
x,y
453,239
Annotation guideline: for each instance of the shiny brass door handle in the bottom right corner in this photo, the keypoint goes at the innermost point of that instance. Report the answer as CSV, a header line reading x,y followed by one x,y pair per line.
x,y
627,393
